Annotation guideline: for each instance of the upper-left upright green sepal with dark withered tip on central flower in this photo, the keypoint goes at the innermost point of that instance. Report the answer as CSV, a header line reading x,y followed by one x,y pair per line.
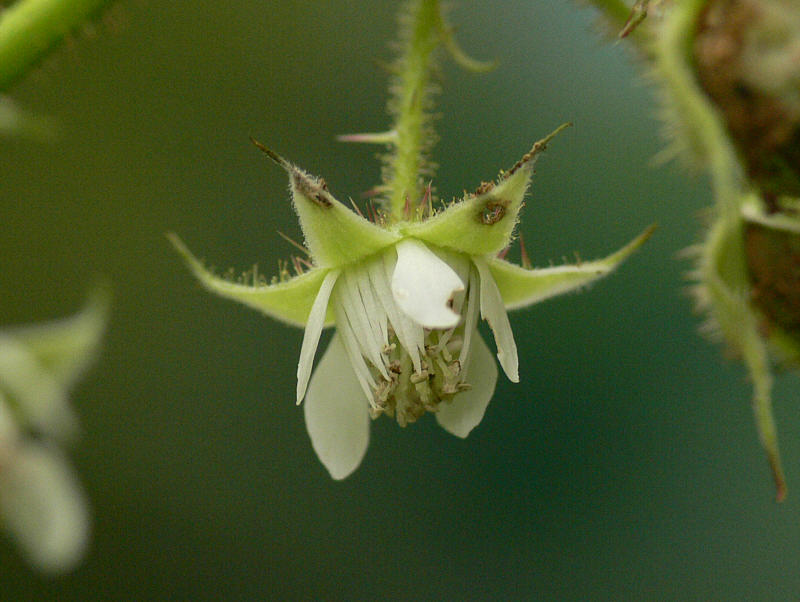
x,y
334,235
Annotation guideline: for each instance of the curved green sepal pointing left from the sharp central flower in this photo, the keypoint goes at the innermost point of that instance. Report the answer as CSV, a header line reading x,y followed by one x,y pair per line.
x,y
289,301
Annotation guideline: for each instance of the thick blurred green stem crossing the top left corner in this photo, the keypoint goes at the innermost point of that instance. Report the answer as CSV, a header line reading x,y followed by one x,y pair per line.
x,y
31,28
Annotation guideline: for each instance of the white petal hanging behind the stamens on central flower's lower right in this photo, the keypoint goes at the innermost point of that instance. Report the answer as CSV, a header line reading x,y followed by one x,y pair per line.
x,y
466,409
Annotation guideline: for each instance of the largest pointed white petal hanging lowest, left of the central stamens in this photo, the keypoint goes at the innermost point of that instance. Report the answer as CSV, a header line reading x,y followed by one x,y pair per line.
x,y
336,413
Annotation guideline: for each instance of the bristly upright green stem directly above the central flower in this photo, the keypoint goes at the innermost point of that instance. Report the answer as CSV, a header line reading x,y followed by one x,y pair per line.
x,y
410,97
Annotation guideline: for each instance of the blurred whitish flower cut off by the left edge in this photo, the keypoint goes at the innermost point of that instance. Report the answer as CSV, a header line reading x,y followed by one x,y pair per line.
x,y
41,502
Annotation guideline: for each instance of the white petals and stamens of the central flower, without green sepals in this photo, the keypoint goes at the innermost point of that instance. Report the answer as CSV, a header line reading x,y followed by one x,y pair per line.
x,y
407,341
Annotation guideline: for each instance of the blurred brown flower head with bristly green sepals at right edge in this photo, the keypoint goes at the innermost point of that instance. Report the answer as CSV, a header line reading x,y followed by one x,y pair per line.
x,y
729,71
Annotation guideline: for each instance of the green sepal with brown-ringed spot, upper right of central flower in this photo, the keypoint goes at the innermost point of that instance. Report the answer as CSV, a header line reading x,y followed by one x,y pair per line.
x,y
482,223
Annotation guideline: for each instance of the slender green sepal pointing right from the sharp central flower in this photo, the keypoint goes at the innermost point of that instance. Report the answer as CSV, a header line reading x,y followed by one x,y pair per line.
x,y
520,286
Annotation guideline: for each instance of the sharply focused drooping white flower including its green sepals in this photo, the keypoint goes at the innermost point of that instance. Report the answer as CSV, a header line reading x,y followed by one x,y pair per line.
x,y
405,298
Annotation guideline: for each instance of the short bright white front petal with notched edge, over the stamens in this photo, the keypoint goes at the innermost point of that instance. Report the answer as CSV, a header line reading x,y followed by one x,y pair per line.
x,y
423,286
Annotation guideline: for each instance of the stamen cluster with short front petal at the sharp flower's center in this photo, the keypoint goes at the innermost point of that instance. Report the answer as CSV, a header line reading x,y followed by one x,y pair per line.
x,y
405,367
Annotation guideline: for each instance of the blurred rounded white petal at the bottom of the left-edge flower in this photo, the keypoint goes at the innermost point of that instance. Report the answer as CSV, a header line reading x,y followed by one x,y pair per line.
x,y
43,506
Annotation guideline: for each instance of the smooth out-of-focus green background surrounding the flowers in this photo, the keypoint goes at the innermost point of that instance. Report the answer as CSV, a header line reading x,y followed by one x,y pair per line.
x,y
624,465
